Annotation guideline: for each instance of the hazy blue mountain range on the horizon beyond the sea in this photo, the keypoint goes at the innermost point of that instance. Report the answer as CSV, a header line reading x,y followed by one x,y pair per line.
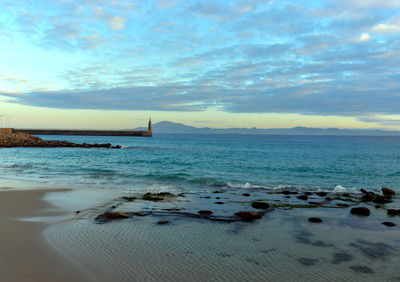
x,y
179,128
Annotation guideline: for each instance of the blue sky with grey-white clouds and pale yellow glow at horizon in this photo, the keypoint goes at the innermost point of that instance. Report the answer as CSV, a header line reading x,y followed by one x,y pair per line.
x,y
265,64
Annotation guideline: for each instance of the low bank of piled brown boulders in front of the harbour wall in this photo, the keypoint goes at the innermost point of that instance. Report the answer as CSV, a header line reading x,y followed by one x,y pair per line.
x,y
11,138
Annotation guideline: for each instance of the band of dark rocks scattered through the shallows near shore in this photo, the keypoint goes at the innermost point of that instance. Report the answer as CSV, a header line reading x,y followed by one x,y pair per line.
x,y
224,206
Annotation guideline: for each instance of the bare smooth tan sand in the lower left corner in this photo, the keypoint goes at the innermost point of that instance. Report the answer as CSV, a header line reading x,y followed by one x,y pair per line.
x,y
24,253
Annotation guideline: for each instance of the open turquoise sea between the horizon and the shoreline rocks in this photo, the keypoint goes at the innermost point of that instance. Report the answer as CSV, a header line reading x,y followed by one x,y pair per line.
x,y
202,162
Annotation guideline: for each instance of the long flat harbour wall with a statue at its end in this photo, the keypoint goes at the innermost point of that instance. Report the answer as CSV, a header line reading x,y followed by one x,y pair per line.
x,y
139,133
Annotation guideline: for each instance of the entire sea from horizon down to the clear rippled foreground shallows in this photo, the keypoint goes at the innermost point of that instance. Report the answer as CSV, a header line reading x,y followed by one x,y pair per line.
x,y
223,174
